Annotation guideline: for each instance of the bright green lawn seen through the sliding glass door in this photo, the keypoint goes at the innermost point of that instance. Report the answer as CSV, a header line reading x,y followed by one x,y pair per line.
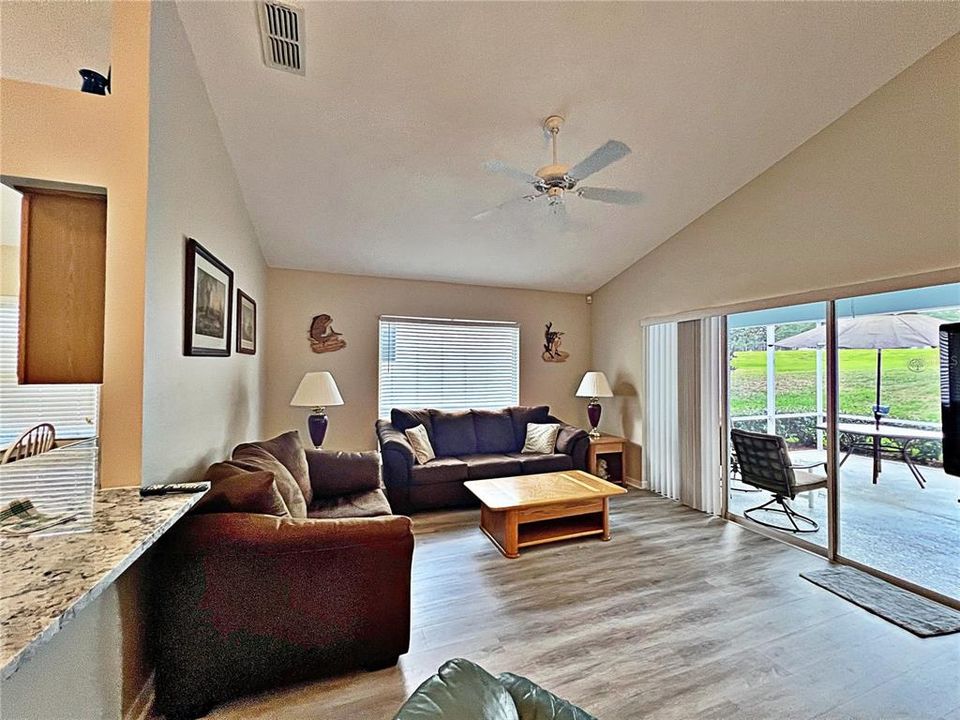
x,y
911,384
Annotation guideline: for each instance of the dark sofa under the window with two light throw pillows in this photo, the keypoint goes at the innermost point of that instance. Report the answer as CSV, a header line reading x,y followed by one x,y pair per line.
x,y
470,445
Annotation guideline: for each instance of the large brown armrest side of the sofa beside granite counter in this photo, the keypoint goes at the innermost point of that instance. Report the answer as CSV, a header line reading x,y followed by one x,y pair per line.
x,y
245,602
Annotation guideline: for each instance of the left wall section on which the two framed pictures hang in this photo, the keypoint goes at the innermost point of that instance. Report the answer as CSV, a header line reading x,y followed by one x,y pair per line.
x,y
195,408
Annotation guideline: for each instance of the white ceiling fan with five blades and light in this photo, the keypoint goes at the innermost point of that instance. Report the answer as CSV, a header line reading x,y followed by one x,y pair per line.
x,y
555,180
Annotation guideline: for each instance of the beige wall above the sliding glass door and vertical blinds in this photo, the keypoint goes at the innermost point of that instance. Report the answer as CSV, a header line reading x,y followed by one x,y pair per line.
x,y
875,195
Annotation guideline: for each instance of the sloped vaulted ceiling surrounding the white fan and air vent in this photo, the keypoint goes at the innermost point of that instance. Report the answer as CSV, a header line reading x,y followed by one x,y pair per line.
x,y
371,163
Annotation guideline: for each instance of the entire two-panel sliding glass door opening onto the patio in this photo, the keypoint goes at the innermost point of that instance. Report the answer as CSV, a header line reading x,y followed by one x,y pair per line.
x,y
891,508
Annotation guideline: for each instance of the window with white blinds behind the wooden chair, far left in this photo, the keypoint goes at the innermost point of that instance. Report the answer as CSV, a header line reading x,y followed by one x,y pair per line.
x,y
73,410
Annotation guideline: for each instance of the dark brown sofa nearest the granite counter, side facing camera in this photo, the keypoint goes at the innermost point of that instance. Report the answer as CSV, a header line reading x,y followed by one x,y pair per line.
x,y
247,600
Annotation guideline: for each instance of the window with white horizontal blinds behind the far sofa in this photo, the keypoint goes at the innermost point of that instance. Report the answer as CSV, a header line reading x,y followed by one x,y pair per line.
x,y
448,364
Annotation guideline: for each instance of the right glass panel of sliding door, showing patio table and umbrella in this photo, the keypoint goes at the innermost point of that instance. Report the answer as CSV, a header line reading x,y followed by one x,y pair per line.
x,y
898,510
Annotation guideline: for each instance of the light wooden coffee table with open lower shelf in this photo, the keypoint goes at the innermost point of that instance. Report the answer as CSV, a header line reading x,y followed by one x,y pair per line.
x,y
525,510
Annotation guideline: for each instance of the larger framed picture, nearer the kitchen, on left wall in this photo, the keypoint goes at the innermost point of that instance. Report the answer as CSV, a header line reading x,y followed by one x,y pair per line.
x,y
208,303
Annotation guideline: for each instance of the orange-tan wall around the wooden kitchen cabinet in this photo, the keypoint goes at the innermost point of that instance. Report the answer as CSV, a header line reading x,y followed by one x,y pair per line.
x,y
61,135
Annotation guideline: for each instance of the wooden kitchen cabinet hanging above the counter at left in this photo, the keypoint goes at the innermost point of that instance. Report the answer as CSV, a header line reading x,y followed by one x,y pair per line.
x,y
62,284
